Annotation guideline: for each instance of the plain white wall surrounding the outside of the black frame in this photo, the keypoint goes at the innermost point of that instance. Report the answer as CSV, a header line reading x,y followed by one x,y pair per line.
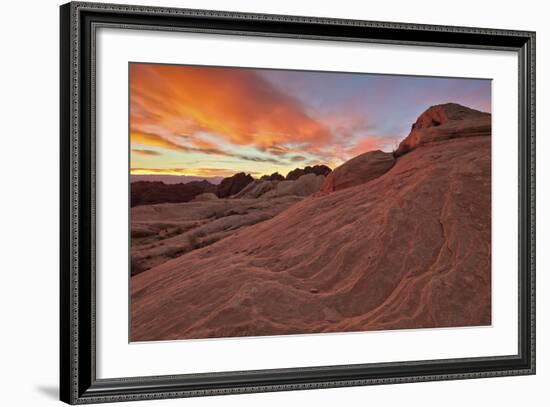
x,y
29,165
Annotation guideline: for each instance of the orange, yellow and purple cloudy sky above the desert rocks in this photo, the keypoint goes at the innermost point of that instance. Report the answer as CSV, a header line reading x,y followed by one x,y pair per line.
x,y
215,121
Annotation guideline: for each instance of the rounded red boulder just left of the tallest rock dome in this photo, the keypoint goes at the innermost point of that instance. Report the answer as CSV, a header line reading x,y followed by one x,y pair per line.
x,y
359,170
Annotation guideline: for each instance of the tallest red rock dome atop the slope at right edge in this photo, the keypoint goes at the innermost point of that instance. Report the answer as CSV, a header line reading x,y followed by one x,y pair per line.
x,y
446,121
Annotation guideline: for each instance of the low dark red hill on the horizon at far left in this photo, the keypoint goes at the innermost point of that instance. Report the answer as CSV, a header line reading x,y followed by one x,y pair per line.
x,y
147,193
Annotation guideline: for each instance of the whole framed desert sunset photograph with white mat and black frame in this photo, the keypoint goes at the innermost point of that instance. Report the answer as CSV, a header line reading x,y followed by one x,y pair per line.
x,y
255,203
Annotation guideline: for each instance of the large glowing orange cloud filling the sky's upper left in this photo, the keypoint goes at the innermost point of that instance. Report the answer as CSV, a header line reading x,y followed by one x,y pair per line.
x,y
235,104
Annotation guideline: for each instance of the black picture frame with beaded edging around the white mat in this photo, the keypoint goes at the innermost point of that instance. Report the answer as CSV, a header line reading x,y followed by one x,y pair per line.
x,y
78,382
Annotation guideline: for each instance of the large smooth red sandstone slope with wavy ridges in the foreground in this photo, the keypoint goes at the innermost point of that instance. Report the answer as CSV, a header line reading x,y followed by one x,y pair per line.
x,y
409,249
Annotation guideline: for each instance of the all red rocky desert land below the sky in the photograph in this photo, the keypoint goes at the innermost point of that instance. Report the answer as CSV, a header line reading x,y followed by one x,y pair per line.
x,y
385,241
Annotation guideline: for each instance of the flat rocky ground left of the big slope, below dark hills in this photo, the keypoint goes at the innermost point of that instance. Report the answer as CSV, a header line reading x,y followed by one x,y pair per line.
x,y
162,232
